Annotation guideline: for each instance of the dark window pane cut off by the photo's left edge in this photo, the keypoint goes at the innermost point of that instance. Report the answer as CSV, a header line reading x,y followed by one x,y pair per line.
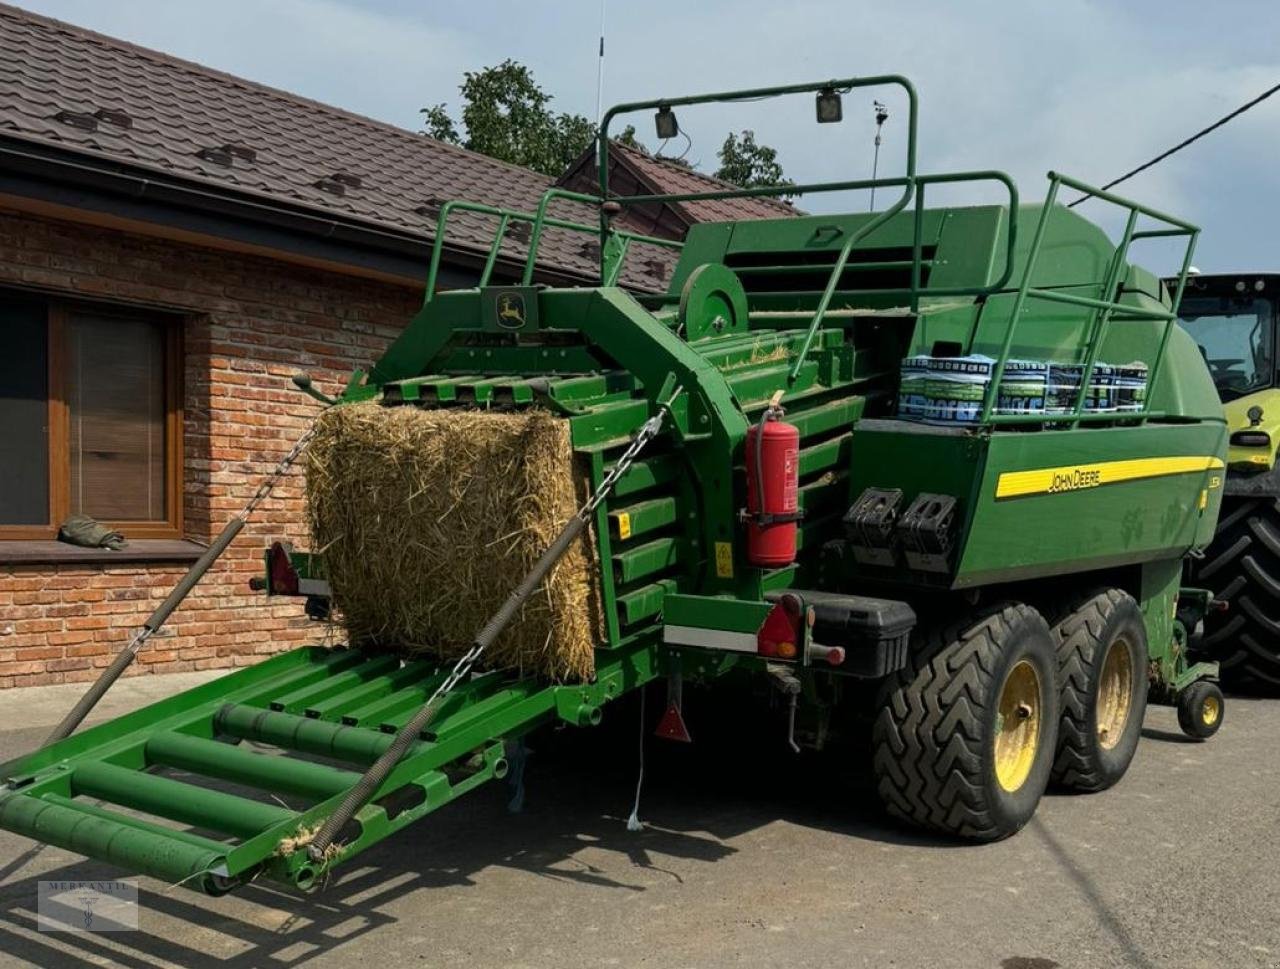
x,y
24,413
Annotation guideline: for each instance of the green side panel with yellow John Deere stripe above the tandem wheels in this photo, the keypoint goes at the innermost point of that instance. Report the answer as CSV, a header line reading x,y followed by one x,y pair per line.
x,y
1104,497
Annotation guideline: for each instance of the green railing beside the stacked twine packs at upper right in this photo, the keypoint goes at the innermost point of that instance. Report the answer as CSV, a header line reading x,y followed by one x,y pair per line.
x,y
1103,309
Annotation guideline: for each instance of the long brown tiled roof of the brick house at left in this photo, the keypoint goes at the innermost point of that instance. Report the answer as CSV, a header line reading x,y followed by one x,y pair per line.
x,y
83,92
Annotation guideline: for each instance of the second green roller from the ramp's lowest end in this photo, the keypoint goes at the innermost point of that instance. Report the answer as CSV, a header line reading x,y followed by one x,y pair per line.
x,y
176,801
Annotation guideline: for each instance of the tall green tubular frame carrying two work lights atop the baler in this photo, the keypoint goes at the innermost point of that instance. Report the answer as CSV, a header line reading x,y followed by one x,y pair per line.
x,y
911,184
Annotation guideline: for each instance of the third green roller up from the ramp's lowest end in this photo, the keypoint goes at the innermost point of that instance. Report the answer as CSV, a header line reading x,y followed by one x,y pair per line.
x,y
267,773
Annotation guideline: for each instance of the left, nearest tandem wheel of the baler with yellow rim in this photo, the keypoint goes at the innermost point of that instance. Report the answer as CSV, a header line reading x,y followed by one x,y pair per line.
x,y
966,733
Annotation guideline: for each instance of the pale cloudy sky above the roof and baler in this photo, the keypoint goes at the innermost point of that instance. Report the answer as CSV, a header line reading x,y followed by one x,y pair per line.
x,y
1084,86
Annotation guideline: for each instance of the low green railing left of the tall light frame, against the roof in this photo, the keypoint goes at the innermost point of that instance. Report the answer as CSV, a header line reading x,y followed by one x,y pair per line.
x,y
614,246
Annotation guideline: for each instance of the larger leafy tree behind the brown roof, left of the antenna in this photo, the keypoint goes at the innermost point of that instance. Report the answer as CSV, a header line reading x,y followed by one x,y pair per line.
x,y
509,117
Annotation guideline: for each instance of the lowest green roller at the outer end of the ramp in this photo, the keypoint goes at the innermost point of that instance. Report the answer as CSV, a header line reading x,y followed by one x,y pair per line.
x,y
120,840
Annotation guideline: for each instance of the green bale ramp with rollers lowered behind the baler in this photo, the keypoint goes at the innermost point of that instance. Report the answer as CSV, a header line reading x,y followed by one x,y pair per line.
x,y
51,790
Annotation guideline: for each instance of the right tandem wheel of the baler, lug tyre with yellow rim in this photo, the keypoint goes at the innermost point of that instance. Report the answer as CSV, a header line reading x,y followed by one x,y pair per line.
x,y
1103,689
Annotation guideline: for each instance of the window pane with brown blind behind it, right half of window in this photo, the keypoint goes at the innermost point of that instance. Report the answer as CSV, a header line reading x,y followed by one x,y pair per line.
x,y
117,403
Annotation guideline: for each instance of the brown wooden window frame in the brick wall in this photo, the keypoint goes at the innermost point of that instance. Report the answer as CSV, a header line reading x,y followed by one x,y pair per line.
x,y
60,423
